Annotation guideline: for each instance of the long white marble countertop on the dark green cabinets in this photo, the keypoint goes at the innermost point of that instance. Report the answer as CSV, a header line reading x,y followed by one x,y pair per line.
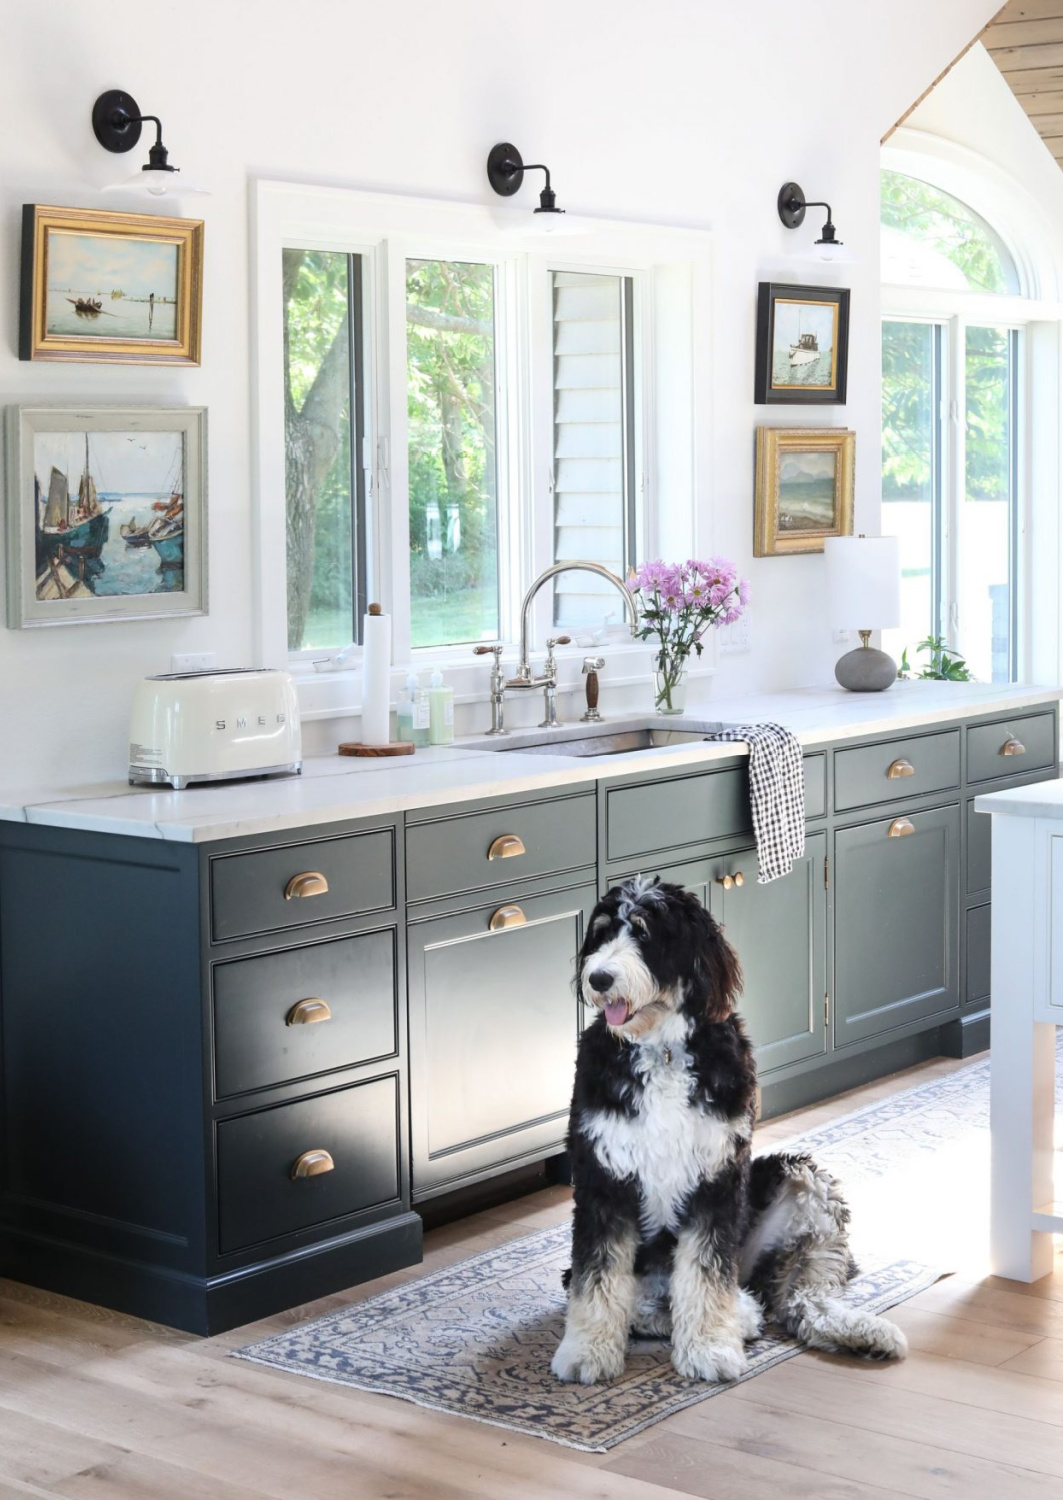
x,y
335,788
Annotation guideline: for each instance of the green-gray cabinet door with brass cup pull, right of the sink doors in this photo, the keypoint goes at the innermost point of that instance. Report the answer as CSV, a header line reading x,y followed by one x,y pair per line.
x,y
897,911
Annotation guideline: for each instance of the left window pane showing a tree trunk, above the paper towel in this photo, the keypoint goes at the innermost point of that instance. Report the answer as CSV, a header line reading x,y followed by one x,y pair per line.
x,y
325,478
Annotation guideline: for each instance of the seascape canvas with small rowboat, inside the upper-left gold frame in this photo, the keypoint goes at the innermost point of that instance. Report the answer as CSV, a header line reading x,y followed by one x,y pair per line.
x,y
109,289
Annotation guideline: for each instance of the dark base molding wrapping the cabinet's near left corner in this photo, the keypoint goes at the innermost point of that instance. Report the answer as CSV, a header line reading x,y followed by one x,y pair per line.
x,y
211,1304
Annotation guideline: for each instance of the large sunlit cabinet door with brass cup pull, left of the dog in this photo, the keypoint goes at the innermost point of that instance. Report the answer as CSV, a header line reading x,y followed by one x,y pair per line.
x,y
494,1024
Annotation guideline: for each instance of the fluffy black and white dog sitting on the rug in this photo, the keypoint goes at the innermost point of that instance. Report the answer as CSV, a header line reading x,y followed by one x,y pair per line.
x,y
678,1231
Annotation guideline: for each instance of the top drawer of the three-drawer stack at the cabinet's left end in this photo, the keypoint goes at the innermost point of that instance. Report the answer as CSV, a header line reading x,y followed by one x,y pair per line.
x,y
260,893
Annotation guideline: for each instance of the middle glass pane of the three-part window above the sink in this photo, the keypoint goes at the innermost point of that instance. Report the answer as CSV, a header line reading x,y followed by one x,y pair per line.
x,y
454,446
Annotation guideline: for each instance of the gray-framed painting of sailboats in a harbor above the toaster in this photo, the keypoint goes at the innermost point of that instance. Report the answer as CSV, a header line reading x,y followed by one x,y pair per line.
x,y
107,514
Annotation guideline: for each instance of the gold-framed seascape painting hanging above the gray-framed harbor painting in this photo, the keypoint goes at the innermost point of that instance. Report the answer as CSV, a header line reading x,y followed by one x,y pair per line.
x,y
119,289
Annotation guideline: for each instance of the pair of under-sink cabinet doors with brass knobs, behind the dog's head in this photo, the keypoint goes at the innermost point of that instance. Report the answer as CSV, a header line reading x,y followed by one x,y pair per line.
x,y
779,932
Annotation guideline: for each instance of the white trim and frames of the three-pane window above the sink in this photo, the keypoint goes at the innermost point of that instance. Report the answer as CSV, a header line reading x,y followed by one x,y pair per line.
x,y
672,269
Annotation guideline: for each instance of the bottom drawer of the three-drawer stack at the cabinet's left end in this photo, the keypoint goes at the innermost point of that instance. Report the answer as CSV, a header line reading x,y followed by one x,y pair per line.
x,y
260,1199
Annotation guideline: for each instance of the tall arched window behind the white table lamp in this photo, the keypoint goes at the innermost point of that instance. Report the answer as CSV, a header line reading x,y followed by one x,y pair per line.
x,y
951,394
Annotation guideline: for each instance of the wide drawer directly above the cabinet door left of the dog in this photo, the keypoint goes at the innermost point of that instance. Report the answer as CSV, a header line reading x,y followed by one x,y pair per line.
x,y
500,847
